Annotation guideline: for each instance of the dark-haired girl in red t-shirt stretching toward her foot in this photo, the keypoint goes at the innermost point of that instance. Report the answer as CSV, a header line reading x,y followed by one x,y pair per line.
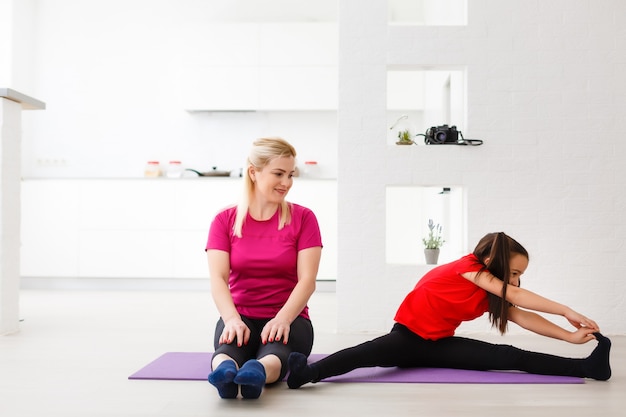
x,y
485,281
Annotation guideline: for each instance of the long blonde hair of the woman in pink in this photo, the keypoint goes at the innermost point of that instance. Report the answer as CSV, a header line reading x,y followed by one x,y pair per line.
x,y
263,151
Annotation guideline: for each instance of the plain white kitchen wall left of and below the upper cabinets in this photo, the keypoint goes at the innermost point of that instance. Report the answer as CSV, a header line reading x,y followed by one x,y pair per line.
x,y
111,73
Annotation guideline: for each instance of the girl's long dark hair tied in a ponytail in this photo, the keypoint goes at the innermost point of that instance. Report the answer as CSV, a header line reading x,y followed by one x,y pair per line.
x,y
494,252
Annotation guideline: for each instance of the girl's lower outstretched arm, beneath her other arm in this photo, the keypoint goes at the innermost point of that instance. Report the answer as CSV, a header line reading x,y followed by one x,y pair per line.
x,y
538,324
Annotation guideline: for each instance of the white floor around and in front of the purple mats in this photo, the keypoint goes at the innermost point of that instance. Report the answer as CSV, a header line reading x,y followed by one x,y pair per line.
x,y
76,350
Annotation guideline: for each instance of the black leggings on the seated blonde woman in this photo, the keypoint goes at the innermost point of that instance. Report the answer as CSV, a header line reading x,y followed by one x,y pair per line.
x,y
300,340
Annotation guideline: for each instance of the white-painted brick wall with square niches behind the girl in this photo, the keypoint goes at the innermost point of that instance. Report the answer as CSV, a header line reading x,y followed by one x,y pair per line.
x,y
546,92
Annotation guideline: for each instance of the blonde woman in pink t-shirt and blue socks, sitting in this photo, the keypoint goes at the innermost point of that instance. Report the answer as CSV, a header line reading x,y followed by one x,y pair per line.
x,y
263,260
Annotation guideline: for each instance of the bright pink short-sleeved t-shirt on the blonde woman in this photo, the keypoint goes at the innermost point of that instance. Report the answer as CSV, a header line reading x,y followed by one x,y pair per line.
x,y
263,261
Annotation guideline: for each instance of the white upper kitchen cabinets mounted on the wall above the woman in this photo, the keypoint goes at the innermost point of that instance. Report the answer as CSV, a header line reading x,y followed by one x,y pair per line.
x,y
287,66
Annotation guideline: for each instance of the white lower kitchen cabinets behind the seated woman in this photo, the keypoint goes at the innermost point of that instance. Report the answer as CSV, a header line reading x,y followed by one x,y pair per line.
x,y
142,228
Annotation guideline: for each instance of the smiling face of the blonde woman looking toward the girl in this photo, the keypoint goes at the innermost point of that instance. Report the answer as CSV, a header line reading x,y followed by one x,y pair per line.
x,y
274,180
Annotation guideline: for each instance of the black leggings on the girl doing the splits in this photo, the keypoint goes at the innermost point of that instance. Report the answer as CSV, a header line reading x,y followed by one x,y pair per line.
x,y
403,348
